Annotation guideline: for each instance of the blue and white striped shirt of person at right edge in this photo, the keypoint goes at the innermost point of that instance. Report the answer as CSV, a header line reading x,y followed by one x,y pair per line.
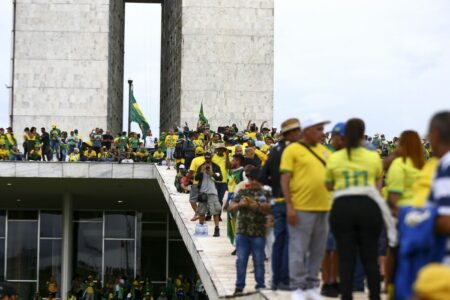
x,y
440,195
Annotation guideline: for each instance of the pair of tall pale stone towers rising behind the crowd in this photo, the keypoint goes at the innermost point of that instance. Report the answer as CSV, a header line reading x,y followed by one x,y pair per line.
x,y
68,63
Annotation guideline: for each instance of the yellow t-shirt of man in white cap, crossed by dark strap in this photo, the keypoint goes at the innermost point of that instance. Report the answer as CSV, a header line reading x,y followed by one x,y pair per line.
x,y
308,191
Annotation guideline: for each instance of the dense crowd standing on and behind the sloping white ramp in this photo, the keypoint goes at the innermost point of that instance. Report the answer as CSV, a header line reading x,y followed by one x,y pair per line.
x,y
359,210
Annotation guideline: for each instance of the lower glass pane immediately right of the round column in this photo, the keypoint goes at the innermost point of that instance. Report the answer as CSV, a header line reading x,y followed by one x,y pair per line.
x,y
87,249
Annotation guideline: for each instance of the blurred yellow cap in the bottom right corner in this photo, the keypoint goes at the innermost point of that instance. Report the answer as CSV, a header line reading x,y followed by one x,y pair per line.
x,y
433,282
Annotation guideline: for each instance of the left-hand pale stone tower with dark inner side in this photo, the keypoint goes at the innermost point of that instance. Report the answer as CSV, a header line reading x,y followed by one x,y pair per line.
x,y
62,59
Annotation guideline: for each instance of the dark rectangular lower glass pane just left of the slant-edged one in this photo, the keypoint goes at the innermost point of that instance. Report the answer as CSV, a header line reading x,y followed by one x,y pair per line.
x,y
153,251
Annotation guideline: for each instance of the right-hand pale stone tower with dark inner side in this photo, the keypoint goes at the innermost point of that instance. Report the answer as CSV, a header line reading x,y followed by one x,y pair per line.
x,y
226,62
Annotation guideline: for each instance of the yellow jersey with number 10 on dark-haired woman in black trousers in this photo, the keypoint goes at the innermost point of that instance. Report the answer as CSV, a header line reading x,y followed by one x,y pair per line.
x,y
363,169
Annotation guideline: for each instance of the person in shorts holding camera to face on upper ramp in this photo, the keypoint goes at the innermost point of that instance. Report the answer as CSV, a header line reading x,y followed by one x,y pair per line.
x,y
208,174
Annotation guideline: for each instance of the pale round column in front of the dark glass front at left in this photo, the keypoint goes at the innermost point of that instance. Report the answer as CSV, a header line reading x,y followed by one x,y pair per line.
x,y
66,272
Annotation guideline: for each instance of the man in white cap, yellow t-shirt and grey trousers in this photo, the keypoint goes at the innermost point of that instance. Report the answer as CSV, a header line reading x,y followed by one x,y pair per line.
x,y
307,204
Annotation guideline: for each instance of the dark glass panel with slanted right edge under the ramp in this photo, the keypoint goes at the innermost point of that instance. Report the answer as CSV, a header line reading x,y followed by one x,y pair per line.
x,y
180,262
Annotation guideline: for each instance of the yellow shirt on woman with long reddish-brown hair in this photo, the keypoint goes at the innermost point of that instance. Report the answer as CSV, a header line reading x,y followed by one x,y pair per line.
x,y
400,179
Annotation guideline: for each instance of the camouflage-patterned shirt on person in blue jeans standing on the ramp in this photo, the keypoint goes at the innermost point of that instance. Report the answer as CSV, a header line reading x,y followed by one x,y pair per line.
x,y
252,222
